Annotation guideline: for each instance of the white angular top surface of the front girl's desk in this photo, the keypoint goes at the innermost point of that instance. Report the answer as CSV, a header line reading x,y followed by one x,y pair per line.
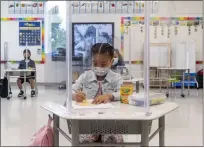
x,y
120,112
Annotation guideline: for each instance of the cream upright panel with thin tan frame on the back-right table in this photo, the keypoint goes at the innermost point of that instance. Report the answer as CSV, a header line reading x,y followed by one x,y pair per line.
x,y
160,55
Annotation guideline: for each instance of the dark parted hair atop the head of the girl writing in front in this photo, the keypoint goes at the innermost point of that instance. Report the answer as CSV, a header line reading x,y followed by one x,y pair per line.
x,y
103,48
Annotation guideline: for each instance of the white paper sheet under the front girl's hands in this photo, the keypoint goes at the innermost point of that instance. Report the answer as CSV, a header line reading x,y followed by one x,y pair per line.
x,y
97,106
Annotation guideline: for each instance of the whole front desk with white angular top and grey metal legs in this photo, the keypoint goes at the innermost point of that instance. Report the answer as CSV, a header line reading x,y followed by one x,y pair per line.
x,y
123,119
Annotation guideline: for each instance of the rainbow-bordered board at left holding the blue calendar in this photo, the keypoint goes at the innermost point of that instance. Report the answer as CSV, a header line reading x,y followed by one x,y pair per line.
x,y
12,34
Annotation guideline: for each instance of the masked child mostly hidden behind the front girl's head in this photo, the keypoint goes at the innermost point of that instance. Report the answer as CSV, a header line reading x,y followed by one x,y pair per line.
x,y
118,60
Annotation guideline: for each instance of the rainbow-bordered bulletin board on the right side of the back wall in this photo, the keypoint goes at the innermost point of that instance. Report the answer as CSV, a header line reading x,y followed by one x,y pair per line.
x,y
162,30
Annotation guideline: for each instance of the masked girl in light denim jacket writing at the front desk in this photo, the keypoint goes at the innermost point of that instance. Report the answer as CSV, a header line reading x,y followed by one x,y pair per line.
x,y
100,84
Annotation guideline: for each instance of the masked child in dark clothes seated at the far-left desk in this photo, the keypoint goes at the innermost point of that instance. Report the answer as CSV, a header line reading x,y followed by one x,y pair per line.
x,y
29,79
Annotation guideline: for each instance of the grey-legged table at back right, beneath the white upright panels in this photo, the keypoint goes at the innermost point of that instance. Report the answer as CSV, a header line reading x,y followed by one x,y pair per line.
x,y
183,77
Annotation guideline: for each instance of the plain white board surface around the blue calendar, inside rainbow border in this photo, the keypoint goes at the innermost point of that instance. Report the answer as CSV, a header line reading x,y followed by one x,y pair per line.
x,y
10,34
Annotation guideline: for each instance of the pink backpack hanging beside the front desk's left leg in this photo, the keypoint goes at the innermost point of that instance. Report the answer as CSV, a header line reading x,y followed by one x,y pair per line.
x,y
44,137
